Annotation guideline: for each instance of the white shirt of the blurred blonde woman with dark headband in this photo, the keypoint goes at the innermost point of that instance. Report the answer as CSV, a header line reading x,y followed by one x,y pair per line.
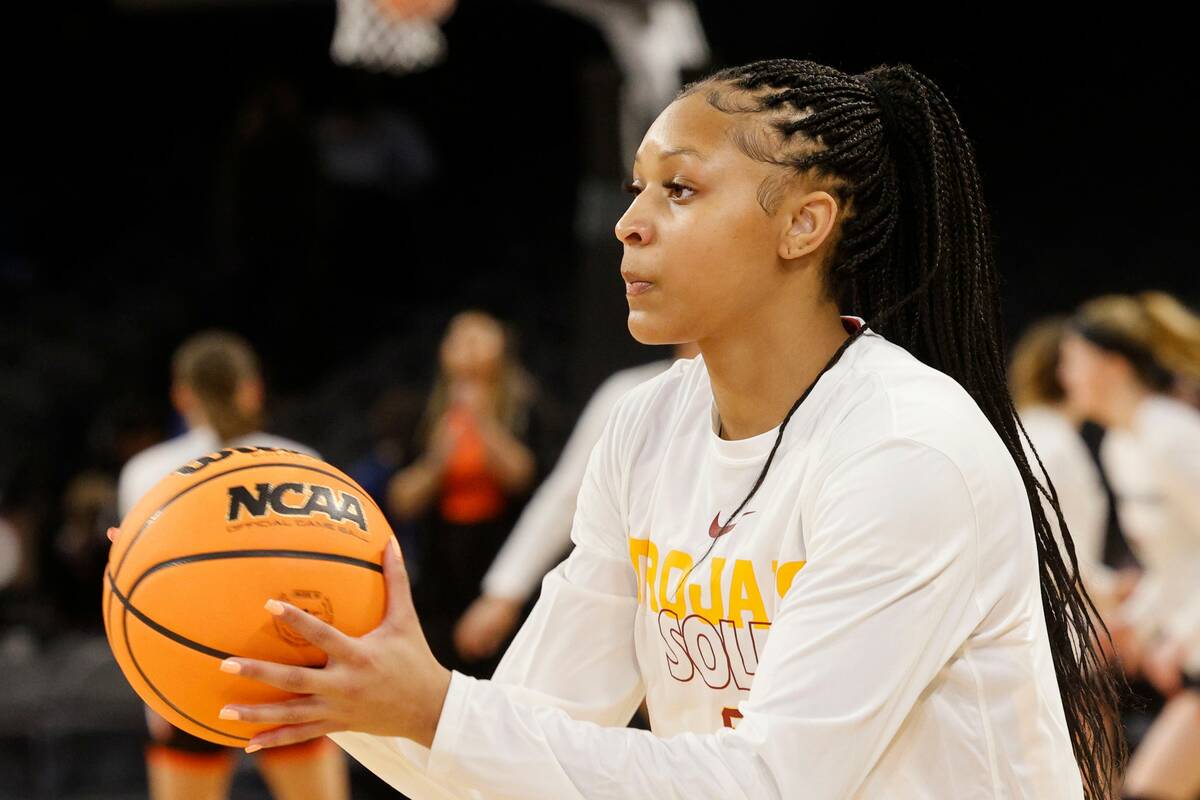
x,y
1155,471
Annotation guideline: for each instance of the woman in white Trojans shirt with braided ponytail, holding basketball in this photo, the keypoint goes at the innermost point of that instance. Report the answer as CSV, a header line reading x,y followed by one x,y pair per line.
x,y
817,550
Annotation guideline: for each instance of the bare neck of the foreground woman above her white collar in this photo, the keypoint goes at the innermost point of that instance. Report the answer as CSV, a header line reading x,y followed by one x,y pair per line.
x,y
759,372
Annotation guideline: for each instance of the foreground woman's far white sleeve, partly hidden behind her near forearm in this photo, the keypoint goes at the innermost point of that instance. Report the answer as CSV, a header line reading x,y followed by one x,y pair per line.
x,y
574,653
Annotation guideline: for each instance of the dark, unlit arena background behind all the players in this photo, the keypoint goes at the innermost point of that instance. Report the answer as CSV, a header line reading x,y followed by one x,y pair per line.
x,y
177,166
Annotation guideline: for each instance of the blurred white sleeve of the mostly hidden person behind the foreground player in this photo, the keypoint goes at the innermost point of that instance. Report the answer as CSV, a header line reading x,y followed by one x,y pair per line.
x,y
543,533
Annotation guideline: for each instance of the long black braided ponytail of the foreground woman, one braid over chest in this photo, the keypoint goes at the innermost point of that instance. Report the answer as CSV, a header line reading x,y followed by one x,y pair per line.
x,y
914,257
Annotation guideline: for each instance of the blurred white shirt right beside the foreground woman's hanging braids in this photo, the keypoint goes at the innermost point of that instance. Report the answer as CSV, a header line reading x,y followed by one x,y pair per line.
x,y
1082,496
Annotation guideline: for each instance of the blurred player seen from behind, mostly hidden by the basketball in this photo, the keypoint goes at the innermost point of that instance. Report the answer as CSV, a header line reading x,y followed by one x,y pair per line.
x,y
218,389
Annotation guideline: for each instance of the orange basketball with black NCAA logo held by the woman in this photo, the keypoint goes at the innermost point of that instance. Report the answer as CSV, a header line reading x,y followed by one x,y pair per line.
x,y
202,552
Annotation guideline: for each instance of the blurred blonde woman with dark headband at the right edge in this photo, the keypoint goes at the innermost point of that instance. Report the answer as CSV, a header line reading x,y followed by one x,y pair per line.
x,y
1121,362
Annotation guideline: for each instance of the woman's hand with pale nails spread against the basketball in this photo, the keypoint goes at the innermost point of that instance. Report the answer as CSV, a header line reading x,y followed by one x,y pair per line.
x,y
386,683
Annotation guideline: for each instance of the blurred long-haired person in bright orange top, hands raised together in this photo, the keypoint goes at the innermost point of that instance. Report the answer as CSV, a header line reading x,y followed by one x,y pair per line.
x,y
482,442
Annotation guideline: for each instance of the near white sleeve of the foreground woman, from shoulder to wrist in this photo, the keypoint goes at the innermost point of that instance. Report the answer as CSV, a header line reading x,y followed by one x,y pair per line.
x,y
884,603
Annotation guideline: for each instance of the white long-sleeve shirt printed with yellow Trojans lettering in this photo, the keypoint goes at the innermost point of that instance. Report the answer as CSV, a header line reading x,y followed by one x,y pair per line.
x,y
871,627
